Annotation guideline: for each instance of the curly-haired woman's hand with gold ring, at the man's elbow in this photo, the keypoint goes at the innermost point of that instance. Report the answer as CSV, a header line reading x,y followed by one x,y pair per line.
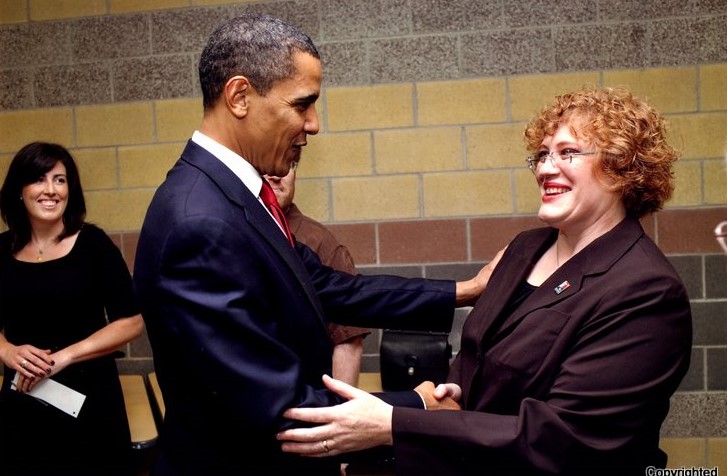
x,y
361,423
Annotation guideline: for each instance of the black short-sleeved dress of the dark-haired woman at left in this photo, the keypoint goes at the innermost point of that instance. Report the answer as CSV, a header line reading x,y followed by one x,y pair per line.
x,y
53,304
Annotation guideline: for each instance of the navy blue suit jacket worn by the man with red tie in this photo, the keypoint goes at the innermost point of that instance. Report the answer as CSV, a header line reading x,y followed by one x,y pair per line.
x,y
237,322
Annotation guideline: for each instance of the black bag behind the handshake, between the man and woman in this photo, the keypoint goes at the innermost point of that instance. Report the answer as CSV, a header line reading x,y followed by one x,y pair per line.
x,y
407,358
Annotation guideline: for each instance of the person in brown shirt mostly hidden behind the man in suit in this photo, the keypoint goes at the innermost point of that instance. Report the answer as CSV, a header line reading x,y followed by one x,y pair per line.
x,y
347,341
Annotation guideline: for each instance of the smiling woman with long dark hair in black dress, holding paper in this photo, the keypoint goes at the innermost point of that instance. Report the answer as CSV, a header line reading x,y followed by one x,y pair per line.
x,y
60,280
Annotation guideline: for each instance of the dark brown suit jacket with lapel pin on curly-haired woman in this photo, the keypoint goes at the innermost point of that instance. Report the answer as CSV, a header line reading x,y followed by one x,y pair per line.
x,y
575,381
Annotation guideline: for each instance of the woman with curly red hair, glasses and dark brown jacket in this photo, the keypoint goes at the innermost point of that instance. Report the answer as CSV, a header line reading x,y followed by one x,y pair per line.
x,y
570,357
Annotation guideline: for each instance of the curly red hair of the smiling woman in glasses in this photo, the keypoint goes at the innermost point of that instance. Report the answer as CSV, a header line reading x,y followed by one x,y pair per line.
x,y
629,134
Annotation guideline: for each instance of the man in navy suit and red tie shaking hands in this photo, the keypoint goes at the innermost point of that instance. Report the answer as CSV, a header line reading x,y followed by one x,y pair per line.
x,y
236,316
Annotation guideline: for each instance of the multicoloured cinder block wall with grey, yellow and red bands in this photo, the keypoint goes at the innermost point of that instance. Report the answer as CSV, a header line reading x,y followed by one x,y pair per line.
x,y
419,166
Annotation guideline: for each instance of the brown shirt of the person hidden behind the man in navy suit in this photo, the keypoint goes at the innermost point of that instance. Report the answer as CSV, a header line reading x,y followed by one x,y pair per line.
x,y
332,253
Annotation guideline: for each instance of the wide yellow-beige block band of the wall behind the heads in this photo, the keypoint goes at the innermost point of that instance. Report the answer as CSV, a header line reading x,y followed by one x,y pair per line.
x,y
388,152
